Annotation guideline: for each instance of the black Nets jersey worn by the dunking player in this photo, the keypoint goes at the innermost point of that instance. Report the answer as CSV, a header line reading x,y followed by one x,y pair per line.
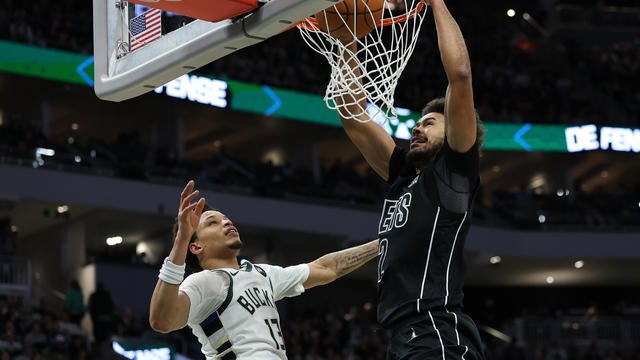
x,y
424,222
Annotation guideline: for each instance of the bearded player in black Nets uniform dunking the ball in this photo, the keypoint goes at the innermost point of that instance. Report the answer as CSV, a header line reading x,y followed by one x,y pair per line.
x,y
427,212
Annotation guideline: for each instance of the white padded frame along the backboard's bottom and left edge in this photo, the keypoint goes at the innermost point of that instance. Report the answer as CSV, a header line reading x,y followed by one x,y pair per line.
x,y
120,74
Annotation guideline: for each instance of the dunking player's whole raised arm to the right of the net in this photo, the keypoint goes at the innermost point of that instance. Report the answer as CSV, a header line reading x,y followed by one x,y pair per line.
x,y
460,125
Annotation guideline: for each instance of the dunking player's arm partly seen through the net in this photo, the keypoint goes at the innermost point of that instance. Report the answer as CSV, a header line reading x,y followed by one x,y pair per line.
x,y
370,138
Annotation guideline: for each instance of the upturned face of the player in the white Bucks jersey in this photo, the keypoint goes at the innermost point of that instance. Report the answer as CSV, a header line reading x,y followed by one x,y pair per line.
x,y
218,232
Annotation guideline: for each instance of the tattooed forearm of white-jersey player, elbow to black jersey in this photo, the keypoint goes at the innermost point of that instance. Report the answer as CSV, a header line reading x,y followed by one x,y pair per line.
x,y
345,261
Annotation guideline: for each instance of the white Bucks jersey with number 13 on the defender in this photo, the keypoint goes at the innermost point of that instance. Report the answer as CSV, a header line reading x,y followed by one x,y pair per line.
x,y
233,312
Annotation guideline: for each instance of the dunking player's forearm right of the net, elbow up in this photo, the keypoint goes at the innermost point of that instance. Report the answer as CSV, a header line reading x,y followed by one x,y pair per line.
x,y
453,50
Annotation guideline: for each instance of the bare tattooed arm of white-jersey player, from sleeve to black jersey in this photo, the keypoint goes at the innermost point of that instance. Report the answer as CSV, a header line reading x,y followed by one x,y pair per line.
x,y
336,264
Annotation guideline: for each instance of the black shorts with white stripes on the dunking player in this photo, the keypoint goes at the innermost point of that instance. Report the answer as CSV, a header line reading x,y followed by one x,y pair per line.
x,y
435,335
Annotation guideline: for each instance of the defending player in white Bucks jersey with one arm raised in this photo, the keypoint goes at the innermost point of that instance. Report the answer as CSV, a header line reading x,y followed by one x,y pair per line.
x,y
230,307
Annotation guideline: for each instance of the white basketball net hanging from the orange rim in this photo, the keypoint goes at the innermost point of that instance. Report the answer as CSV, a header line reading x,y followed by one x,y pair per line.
x,y
381,57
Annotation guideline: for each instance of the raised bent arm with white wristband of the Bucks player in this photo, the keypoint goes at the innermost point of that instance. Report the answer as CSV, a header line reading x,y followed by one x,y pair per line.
x,y
169,308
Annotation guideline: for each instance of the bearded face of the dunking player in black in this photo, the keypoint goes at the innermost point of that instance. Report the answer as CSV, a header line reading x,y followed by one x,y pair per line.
x,y
426,138
